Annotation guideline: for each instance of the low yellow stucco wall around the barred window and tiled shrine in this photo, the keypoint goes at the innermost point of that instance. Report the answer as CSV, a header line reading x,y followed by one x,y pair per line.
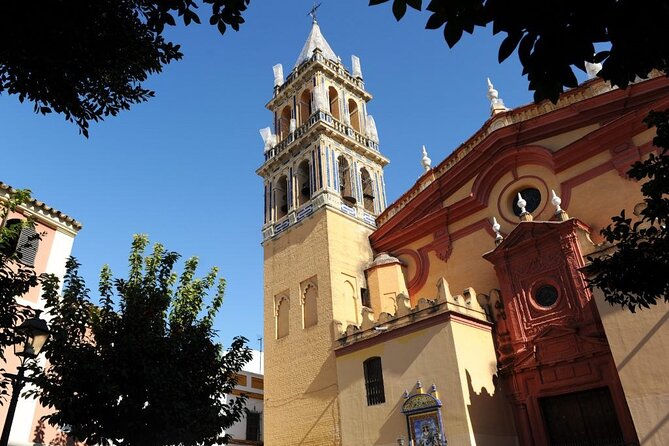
x,y
457,358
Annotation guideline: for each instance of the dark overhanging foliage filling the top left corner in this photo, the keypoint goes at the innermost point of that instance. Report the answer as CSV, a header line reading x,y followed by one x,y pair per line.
x,y
88,59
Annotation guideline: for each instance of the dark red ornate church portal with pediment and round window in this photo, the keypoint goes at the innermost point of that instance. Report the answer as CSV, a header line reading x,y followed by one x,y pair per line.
x,y
554,360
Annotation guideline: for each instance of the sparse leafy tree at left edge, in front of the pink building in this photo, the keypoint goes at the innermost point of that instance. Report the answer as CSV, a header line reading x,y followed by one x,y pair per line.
x,y
16,279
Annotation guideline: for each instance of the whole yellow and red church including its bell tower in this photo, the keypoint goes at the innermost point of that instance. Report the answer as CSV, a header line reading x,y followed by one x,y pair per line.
x,y
460,312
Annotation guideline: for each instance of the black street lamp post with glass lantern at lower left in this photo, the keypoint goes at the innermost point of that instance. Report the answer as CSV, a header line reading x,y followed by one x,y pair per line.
x,y
34,333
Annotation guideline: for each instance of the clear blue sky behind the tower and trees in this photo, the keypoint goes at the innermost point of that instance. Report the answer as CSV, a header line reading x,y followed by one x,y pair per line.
x,y
181,168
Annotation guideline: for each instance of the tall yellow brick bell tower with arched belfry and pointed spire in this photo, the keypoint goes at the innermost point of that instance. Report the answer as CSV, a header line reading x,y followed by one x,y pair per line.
x,y
323,188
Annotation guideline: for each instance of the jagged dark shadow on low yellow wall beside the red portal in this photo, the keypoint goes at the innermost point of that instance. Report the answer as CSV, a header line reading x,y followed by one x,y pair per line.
x,y
490,415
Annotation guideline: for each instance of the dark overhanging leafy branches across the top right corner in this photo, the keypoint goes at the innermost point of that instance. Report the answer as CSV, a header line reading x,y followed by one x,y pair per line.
x,y
551,37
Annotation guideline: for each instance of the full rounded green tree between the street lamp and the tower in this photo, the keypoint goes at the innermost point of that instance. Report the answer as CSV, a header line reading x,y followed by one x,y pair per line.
x,y
142,367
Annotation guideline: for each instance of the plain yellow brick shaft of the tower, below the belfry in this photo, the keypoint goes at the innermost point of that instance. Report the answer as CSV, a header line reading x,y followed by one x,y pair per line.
x,y
301,406
